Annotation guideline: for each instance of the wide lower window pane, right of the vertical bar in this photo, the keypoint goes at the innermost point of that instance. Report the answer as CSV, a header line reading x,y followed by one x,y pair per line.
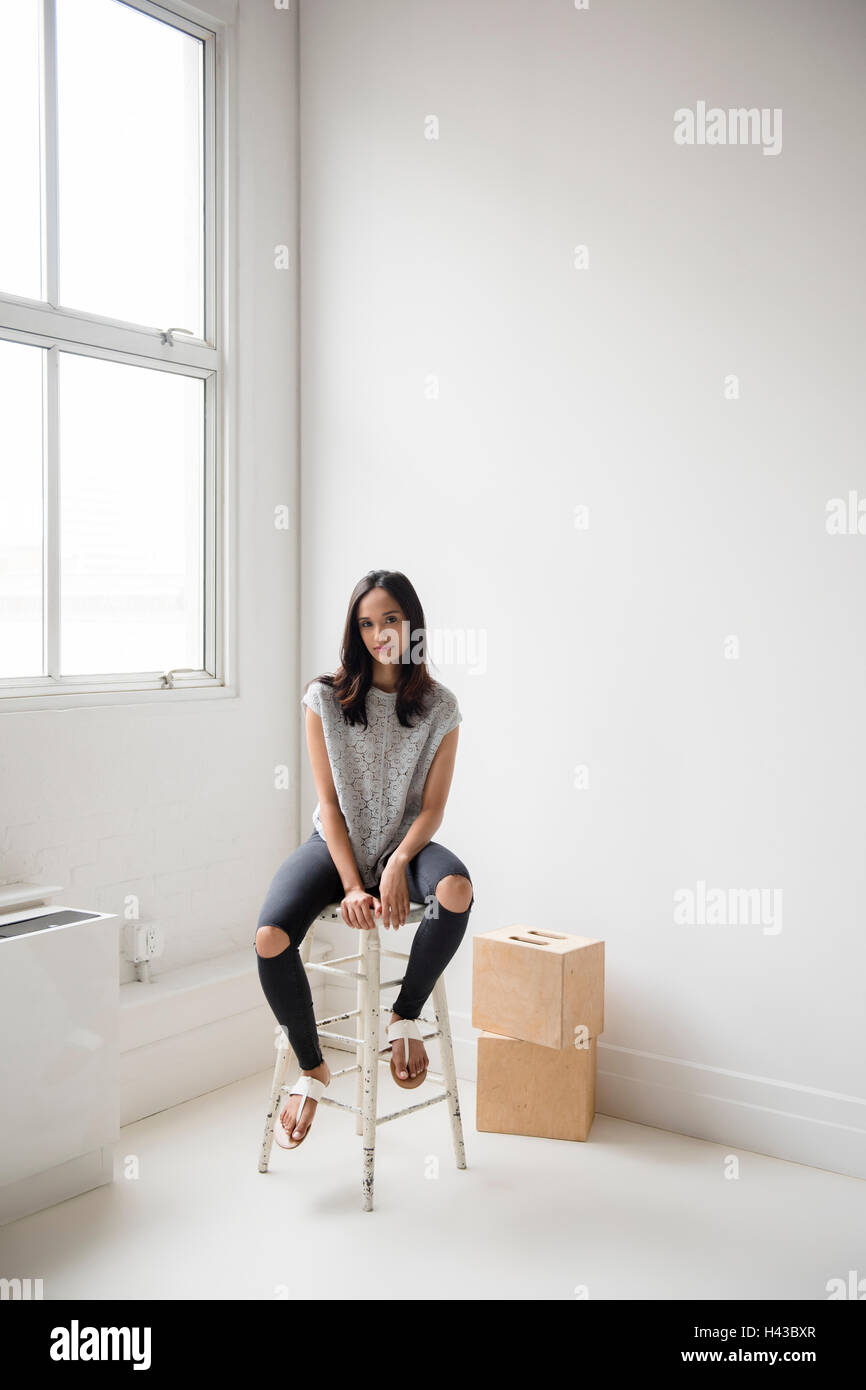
x,y
131,518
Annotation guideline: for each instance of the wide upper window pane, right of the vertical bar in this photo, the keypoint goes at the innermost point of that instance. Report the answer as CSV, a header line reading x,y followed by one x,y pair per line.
x,y
131,166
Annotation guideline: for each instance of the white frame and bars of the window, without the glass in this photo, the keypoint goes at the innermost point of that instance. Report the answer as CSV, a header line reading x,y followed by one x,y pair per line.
x,y
44,325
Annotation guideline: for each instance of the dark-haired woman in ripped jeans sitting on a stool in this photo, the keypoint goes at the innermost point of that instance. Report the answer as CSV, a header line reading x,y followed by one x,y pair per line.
x,y
383,740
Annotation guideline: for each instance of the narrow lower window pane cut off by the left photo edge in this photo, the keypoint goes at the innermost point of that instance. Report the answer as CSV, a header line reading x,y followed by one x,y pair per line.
x,y
22,511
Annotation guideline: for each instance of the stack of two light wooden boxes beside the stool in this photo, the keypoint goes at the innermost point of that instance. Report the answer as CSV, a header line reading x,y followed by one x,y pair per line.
x,y
540,999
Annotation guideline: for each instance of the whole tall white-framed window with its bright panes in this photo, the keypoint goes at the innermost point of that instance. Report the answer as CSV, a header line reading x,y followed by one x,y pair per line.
x,y
111,354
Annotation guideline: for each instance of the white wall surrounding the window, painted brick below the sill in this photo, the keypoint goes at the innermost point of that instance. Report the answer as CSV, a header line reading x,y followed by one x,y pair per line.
x,y
179,806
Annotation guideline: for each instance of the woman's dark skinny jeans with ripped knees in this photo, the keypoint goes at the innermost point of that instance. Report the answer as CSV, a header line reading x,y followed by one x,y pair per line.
x,y
307,883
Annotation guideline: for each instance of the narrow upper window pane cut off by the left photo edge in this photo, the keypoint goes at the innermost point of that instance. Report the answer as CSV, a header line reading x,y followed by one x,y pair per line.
x,y
20,222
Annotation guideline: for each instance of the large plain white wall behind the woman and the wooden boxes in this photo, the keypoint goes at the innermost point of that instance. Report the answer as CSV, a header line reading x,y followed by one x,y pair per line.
x,y
558,387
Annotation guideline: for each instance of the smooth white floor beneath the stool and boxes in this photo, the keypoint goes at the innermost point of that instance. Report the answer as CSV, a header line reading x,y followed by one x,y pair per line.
x,y
635,1213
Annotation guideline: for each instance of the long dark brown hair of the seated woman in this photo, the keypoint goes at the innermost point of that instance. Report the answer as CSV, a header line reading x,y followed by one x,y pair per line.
x,y
354,678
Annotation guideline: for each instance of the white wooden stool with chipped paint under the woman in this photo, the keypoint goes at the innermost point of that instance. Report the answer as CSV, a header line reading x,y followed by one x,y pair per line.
x,y
368,1047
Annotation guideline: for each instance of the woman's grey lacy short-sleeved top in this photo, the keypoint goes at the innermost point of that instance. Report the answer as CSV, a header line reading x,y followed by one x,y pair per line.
x,y
380,772
